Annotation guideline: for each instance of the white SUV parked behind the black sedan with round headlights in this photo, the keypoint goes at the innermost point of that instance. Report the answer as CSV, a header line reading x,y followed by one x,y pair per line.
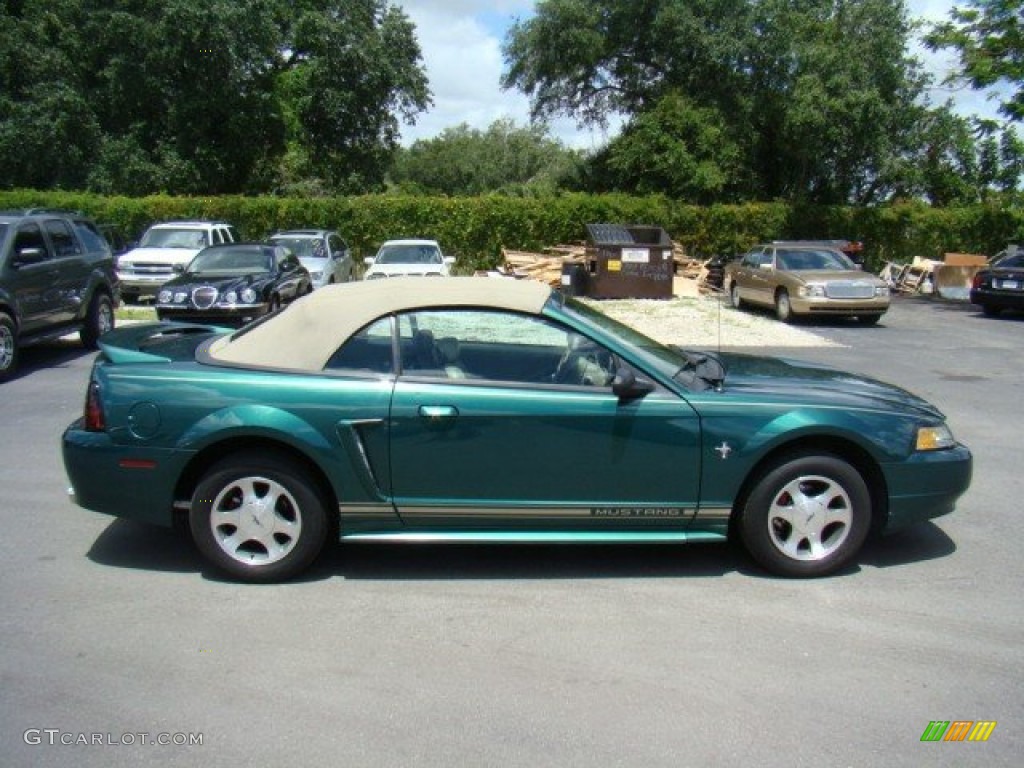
x,y
145,269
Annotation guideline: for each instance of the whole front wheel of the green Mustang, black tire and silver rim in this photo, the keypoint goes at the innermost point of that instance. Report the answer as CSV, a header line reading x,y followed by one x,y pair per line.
x,y
806,517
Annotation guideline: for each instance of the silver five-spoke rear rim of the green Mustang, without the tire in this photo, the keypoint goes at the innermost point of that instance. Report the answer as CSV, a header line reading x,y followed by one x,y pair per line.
x,y
255,521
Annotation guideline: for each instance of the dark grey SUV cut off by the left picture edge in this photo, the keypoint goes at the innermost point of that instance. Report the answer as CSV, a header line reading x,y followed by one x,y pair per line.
x,y
57,277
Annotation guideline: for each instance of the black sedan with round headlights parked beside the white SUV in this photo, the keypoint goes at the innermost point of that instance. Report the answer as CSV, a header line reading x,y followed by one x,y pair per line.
x,y
234,285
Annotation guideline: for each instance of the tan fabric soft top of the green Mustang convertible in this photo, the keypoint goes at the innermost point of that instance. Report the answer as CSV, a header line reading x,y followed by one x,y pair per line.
x,y
310,331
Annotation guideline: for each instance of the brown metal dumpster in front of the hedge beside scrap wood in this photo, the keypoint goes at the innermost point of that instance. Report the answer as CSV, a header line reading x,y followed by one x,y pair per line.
x,y
629,263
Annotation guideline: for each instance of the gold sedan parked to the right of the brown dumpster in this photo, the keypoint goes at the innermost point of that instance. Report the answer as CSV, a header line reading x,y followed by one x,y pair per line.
x,y
806,281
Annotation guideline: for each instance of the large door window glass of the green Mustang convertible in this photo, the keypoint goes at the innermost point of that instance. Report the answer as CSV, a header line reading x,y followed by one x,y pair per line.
x,y
499,347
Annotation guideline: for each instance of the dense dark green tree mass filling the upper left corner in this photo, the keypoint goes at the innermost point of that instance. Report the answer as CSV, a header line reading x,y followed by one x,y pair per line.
x,y
204,97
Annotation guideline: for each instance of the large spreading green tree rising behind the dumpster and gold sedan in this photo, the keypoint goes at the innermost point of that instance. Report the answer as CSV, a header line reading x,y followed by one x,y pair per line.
x,y
820,98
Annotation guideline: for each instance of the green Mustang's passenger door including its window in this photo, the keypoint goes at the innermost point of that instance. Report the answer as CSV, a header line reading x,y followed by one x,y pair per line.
x,y
493,436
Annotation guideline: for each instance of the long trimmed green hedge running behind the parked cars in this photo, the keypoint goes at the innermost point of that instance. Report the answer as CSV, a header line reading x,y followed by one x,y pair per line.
x,y
476,230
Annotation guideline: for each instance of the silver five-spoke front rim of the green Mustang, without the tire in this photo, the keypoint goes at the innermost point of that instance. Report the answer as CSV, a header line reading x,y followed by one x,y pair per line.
x,y
810,519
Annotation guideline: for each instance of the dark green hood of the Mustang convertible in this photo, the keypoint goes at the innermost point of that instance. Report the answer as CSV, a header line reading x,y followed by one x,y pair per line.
x,y
792,380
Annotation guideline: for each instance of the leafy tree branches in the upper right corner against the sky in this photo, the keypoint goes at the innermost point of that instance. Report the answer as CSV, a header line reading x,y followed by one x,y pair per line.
x,y
989,37
